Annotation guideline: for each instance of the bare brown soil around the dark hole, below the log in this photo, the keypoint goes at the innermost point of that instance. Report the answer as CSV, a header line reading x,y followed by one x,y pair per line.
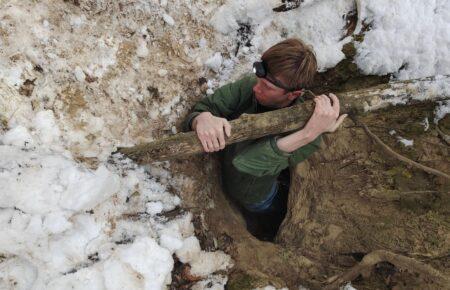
x,y
348,200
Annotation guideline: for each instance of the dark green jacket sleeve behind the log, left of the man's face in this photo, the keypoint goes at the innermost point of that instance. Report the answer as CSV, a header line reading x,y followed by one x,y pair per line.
x,y
224,102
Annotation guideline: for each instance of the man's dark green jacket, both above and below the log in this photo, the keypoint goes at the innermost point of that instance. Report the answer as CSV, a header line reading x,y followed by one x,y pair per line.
x,y
249,168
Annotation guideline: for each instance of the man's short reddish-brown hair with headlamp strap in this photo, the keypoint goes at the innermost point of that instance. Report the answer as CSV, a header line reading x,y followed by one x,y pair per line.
x,y
293,61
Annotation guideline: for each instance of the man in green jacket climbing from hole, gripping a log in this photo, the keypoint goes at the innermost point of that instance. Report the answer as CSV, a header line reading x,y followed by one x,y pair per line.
x,y
250,168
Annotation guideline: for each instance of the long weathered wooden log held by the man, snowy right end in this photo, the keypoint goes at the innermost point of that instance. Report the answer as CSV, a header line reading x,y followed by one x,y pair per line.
x,y
292,118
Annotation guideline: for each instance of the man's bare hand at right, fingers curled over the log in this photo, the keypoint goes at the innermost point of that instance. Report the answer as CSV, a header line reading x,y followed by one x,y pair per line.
x,y
326,115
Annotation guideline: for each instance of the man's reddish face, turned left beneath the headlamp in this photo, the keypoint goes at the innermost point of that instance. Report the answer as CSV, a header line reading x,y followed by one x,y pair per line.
x,y
269,95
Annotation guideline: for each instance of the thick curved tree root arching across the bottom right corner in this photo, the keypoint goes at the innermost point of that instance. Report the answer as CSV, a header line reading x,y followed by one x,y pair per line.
x,y
402,262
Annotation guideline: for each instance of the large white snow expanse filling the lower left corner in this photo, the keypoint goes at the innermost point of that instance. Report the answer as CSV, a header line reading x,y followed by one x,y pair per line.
x,y
65,224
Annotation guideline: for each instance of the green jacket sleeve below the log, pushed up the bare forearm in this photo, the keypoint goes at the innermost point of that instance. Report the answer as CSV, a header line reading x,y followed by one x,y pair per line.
x,y
265,158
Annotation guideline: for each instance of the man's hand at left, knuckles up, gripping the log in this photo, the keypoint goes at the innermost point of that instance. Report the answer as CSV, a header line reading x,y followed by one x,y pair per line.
x,y
210,131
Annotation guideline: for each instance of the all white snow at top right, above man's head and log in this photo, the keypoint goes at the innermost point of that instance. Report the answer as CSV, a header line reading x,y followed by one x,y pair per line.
x,y
407,38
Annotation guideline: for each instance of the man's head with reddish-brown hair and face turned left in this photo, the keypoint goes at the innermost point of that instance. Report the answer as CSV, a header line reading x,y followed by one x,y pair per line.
x,y
290,66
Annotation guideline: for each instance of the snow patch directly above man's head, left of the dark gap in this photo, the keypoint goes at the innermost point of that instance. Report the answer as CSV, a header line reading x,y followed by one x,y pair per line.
x,y
319,24
